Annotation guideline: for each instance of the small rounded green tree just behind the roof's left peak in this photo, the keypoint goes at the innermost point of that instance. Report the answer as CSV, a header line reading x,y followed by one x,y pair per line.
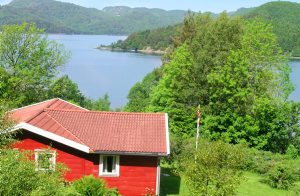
x,y
66,89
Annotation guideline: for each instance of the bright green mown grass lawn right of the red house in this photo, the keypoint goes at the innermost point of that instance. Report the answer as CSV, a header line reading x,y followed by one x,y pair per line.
x,y
251,186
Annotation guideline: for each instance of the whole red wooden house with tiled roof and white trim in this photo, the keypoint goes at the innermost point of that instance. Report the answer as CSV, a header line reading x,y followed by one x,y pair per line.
x,y
122,148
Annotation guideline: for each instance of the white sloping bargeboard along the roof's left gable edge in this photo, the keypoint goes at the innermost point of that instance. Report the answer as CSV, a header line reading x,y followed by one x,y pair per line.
x,y
51,136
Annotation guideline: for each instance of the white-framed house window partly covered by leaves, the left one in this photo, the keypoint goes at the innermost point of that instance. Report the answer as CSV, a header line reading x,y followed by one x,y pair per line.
x,y
45,160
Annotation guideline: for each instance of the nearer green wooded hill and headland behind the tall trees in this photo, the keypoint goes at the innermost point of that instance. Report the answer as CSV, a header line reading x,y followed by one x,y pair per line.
x,y
284,16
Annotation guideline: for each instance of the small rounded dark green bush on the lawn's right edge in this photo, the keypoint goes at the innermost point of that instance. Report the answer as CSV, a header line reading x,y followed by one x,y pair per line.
x,y
281,177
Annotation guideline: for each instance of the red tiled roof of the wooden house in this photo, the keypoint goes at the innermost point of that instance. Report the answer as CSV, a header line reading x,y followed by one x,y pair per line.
x,y
110,132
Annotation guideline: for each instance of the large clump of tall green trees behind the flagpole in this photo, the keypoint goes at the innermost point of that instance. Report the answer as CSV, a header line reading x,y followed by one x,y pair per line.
x,y
238,73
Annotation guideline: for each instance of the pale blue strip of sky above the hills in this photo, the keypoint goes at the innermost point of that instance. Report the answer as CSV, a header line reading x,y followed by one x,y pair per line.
x,y
215,6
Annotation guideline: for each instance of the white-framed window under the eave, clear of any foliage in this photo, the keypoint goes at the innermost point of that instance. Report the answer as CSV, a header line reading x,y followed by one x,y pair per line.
x,y
109,165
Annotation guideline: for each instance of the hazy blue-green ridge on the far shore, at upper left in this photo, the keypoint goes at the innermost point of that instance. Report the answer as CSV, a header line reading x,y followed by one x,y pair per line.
x,y
59,17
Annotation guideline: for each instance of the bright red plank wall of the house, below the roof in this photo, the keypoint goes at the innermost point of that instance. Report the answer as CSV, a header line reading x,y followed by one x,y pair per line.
x,y
136,172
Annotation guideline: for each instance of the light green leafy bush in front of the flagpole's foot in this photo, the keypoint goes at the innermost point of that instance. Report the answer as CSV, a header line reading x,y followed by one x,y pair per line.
x,y
216,170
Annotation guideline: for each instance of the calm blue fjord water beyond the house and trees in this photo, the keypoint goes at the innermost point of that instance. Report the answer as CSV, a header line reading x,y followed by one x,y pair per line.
x,y
97,72
